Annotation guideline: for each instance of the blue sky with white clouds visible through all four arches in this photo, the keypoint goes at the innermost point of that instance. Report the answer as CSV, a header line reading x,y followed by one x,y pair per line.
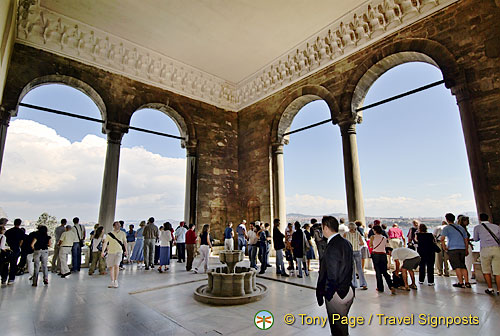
x,y
411,152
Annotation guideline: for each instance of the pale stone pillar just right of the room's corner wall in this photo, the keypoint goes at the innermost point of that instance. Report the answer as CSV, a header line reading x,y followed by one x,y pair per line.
x,y
279,200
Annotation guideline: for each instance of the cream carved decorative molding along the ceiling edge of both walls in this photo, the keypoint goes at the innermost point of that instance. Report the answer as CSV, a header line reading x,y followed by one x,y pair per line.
x,y
61,35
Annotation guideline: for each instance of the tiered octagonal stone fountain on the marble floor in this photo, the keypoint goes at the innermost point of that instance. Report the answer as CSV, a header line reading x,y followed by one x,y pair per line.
x,y
230,285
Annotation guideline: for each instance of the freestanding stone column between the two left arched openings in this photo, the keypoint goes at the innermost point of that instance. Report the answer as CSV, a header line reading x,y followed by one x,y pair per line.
x,y
110,180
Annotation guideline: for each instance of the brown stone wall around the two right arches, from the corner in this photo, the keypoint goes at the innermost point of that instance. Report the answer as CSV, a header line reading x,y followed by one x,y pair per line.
x,y
462,39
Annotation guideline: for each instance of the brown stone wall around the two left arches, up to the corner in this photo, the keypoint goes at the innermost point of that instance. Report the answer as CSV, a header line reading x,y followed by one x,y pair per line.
x,y
212,132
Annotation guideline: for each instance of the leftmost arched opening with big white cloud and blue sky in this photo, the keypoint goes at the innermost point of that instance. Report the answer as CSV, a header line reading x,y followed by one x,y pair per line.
x,y
53,163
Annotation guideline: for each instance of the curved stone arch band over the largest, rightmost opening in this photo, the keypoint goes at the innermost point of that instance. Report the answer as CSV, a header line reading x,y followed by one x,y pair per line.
x,y
394,54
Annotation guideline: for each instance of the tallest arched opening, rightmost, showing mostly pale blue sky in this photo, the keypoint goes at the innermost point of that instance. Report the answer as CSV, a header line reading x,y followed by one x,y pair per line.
x,y
412,152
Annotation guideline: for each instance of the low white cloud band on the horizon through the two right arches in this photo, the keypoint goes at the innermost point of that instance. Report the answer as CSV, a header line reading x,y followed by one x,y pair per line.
x,y
383,206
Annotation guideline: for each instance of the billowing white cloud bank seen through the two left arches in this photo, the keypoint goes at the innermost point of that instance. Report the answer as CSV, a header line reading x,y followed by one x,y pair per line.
x,y
43,171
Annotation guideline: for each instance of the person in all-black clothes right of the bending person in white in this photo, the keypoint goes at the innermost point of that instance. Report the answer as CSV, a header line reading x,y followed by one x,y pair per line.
x,y
427,248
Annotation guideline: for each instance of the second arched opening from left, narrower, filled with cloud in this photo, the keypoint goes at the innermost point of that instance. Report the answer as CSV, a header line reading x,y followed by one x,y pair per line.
x,y
152,174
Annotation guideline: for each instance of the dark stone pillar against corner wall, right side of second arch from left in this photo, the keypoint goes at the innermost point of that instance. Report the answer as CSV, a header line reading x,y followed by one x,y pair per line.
x,y
191,186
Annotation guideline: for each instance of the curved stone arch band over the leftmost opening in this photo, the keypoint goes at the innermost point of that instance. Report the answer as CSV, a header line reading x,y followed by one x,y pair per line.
x,y
69,81
